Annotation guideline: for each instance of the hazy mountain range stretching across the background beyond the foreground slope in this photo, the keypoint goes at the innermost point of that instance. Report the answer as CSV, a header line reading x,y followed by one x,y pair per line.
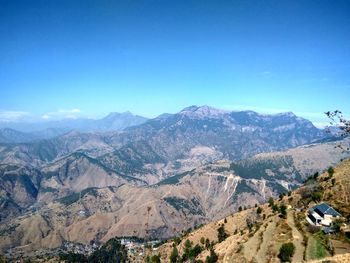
x,y
152,179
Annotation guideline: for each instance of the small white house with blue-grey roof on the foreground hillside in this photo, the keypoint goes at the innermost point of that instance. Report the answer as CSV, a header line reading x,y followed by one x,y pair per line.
x,y
322,215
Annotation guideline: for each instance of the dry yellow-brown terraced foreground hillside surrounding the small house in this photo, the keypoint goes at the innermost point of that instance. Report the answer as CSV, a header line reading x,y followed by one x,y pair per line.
x,y
254,236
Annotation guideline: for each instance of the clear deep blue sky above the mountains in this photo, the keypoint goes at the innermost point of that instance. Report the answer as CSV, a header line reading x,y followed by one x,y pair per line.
x,y
88,58
